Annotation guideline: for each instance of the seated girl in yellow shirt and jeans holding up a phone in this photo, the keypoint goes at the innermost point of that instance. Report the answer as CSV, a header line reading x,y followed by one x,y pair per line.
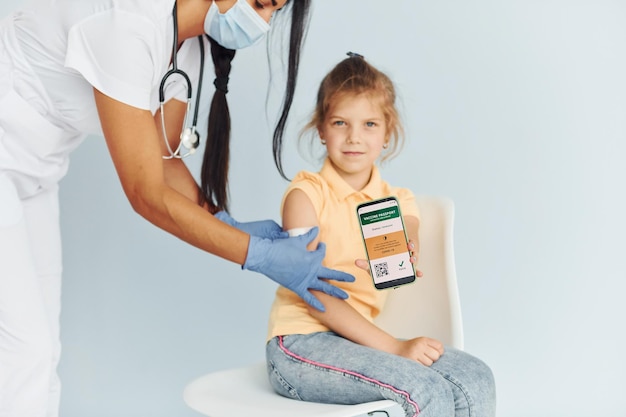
x,y
340,356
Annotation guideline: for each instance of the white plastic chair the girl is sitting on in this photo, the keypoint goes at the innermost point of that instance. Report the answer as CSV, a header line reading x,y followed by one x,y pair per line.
x,y
429,307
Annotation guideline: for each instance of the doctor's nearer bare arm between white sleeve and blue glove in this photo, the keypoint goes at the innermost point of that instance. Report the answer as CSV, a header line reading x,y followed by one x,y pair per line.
x,y
134,145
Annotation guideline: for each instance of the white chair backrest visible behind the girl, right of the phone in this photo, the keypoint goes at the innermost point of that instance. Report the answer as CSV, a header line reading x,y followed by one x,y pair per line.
x,y
430,306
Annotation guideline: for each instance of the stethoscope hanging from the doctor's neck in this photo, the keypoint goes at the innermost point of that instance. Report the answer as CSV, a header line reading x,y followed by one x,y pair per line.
x,y
189,137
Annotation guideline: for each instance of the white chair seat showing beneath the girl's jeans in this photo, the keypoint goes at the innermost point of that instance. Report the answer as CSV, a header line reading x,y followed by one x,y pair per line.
x,y
213,395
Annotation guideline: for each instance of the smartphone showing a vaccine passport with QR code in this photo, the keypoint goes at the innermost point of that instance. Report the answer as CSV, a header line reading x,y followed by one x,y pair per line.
x,y
385,240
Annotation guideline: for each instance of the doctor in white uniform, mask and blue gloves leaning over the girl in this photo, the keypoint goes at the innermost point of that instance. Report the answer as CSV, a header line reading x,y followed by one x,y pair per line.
x,y
127,70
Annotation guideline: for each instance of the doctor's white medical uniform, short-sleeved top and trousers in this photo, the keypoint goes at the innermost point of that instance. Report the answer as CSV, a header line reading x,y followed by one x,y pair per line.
x,y
51,57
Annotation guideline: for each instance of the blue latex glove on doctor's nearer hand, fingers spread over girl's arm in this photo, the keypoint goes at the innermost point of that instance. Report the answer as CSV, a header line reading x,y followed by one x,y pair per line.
x,y
288,262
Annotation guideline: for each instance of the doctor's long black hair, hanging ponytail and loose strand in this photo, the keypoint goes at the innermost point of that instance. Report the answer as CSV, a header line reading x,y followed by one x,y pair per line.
x,y
214,173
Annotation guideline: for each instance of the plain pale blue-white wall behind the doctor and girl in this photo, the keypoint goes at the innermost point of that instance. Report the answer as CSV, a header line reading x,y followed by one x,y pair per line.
x,y
516,110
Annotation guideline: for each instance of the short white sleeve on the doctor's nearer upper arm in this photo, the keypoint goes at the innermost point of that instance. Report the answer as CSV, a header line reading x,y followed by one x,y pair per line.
x,y
117,52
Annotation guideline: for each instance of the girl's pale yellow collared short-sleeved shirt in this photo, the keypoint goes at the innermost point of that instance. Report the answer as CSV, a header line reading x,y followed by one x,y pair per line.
x,y
335,203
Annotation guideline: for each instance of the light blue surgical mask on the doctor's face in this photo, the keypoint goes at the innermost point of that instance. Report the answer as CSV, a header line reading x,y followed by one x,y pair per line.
x,y
238,28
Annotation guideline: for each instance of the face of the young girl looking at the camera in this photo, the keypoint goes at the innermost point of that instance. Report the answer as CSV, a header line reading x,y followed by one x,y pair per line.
x,y
355,131
